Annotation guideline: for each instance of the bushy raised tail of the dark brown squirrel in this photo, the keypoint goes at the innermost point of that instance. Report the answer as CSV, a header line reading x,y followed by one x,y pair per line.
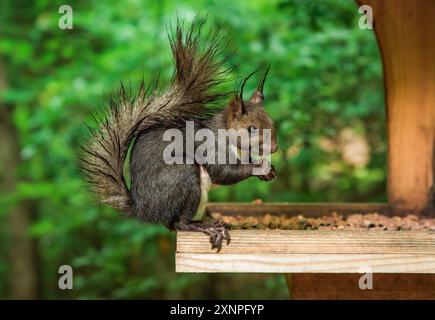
x,y
198,69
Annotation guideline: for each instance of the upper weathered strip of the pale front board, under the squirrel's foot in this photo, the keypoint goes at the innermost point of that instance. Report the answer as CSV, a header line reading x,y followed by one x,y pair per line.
x,y
313,242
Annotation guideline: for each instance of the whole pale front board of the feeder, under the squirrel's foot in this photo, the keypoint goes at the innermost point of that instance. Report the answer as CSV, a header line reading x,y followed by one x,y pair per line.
x,y
286,251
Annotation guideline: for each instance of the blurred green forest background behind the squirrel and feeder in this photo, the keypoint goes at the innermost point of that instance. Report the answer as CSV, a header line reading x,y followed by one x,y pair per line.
x,y
325,93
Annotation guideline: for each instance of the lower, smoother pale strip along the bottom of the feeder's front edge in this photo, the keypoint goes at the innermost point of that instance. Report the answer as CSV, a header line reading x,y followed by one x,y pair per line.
x,y
306,263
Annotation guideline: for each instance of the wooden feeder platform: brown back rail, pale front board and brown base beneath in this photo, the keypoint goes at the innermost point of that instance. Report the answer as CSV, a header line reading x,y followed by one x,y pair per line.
x,y
319,264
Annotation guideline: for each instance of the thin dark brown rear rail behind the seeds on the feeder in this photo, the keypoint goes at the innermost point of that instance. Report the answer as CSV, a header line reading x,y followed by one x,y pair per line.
x,y
292,209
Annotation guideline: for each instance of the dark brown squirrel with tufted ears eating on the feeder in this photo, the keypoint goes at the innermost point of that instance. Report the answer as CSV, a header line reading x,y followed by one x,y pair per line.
x,y
171,194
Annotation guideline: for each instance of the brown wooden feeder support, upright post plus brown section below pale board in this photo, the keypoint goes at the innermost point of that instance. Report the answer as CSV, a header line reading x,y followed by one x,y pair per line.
x,y
406,37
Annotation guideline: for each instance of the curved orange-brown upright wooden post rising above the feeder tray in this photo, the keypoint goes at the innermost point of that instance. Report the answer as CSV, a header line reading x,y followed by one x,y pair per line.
x,y
406,37
